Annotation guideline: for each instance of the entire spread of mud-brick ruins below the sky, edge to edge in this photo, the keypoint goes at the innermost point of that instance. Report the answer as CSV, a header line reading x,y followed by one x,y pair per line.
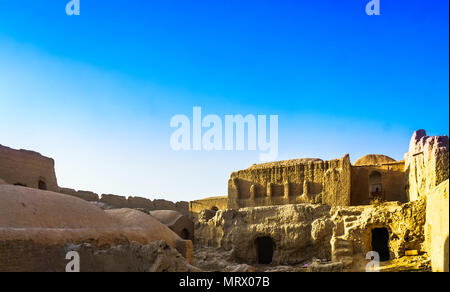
x,y
294,215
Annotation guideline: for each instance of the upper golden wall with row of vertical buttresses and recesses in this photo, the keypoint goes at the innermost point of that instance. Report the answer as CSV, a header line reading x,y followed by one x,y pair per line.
x,y
291,182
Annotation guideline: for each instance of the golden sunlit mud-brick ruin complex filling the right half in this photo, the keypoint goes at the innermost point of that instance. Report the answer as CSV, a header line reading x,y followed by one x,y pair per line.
x,y
290,211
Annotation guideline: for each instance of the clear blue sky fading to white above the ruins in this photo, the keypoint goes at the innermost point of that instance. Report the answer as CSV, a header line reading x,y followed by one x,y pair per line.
x,y
97,91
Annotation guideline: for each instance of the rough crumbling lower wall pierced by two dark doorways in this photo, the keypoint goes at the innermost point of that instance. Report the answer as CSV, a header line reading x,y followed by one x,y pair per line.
x,y
303,231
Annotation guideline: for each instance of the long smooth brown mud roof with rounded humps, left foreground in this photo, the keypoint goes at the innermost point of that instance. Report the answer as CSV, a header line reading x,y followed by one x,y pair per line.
x,y
50,218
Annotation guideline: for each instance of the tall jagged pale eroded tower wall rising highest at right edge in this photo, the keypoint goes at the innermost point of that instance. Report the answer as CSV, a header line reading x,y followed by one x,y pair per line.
x,y
426,164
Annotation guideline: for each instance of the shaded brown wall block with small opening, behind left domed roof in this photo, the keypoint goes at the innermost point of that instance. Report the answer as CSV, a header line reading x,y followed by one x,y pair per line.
x,y
26,168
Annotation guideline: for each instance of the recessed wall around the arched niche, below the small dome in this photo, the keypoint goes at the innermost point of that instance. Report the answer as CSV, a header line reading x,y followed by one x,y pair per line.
x,y
392,180
